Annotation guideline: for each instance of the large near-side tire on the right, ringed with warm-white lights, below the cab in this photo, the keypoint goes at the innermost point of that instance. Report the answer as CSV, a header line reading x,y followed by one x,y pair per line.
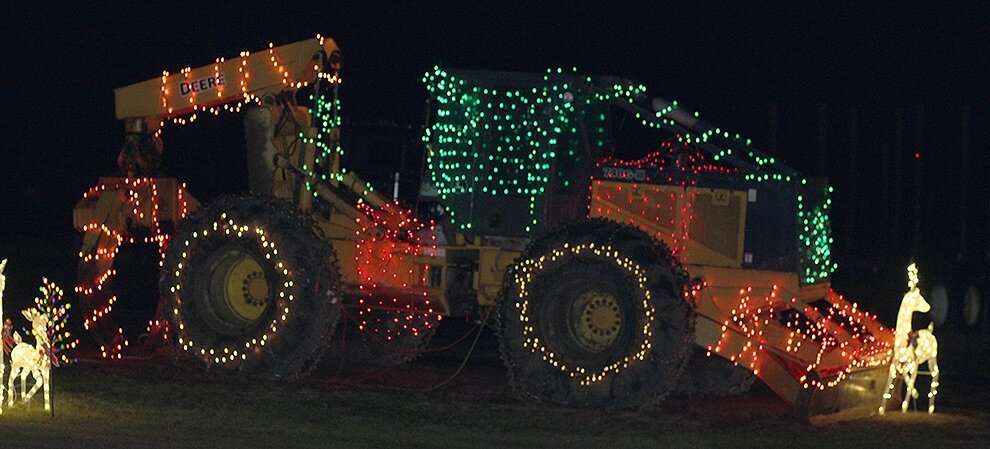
x,y
595,314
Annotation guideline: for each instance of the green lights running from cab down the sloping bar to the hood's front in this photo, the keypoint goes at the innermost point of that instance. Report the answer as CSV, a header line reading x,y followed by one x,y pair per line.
x,y
521,137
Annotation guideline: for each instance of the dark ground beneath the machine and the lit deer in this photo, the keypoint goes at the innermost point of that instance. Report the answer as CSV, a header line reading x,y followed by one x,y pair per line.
x,y
161,404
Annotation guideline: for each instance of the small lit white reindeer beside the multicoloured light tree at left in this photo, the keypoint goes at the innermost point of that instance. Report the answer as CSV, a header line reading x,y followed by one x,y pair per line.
x,y
35,360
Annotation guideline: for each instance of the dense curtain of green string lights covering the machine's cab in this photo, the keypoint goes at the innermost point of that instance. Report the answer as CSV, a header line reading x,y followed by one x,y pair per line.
x,y
500,135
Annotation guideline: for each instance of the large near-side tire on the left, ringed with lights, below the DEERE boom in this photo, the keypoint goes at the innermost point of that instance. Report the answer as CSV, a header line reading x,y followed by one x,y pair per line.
x,y
248,285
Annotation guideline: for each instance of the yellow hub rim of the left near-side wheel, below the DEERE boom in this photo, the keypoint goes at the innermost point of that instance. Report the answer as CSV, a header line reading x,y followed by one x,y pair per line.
x,y
246,291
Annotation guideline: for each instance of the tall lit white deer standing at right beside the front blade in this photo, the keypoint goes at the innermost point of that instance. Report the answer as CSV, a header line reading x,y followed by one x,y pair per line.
x,y
912,348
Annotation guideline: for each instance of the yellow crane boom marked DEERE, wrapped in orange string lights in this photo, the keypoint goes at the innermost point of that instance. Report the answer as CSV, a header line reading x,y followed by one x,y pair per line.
x,y
247,76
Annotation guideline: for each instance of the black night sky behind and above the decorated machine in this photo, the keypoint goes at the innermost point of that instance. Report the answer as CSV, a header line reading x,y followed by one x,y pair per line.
x,y
787,75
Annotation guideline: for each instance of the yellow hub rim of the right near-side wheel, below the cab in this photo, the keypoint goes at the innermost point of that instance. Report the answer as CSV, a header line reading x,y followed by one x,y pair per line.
x,y
596,320
